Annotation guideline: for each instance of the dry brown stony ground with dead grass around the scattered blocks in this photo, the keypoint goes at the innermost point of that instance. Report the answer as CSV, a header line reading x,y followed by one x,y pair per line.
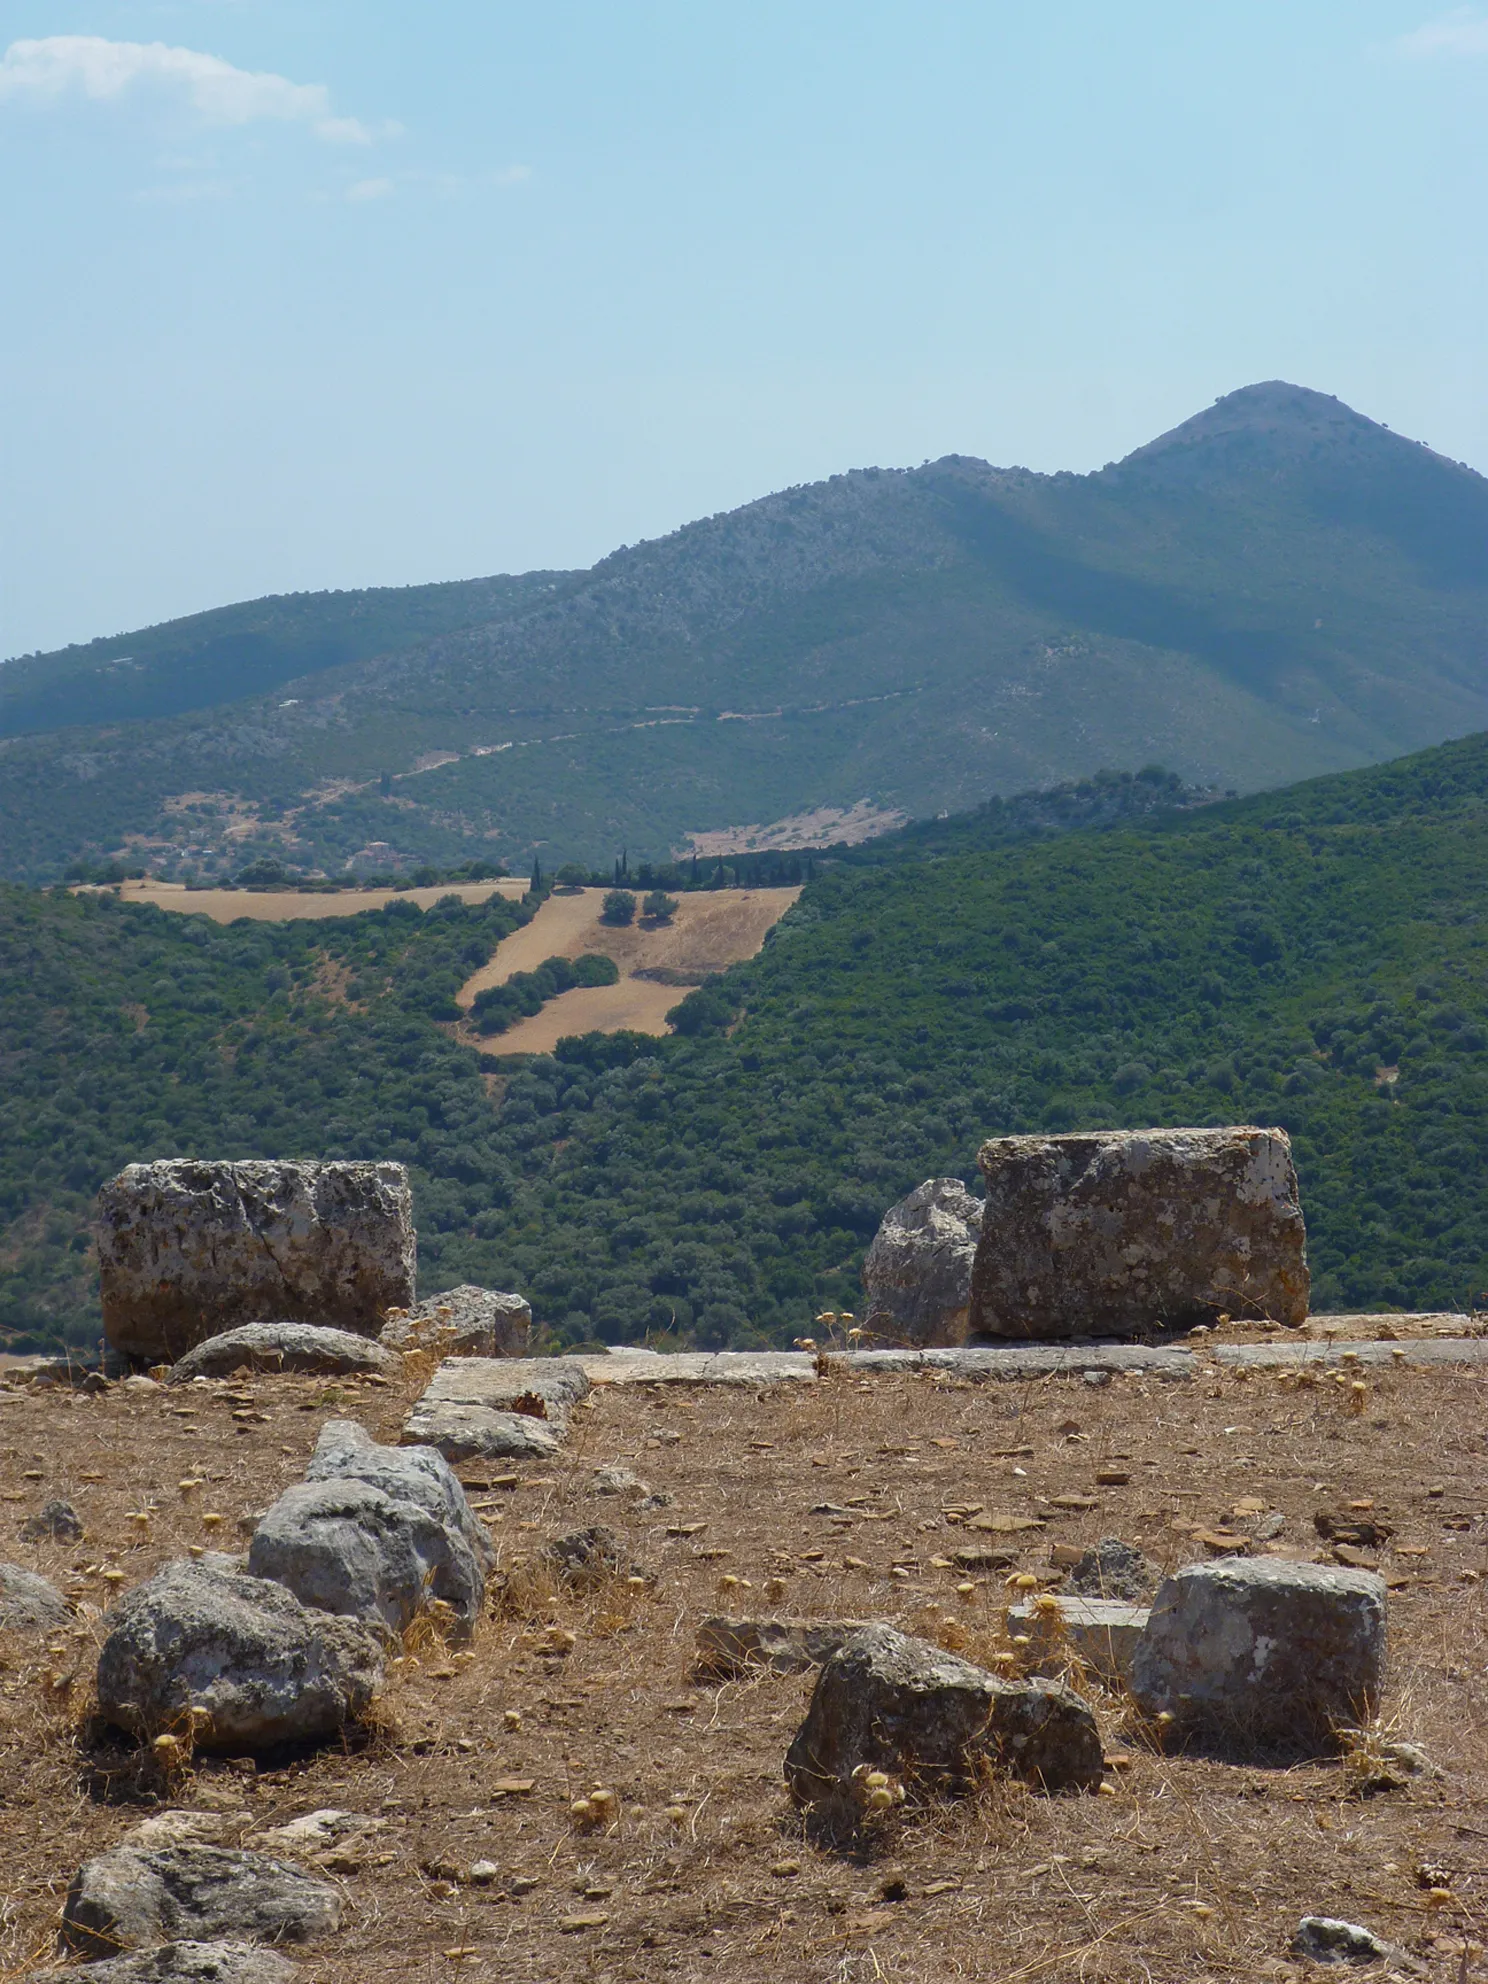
x,y
1185,1868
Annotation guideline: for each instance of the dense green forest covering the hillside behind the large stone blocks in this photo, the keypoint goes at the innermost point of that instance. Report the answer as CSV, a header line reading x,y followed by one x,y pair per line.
x,y
1310,959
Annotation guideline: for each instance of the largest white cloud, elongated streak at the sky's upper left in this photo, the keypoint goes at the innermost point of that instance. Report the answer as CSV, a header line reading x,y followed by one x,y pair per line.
x,y
215,90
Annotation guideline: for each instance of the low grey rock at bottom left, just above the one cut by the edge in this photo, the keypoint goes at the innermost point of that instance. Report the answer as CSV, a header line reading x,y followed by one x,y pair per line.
x,y
138,1898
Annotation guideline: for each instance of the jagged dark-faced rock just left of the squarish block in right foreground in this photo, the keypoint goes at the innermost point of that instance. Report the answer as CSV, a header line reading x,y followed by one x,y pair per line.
x,y
904,1707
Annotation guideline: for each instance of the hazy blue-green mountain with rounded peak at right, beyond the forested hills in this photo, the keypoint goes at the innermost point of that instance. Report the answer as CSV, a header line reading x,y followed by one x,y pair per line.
x,y
1275,590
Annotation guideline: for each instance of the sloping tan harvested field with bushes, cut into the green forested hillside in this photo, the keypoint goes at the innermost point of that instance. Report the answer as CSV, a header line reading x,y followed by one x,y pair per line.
x,y
709,933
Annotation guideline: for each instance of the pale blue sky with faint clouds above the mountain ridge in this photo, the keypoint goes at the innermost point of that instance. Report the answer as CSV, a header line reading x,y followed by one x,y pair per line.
x,y
312,293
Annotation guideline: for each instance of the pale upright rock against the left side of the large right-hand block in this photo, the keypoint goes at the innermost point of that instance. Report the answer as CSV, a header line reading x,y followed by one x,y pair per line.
x,y
918,1275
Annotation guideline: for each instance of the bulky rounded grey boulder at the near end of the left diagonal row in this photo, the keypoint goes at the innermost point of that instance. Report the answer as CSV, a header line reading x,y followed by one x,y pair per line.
x,y
245,1652
